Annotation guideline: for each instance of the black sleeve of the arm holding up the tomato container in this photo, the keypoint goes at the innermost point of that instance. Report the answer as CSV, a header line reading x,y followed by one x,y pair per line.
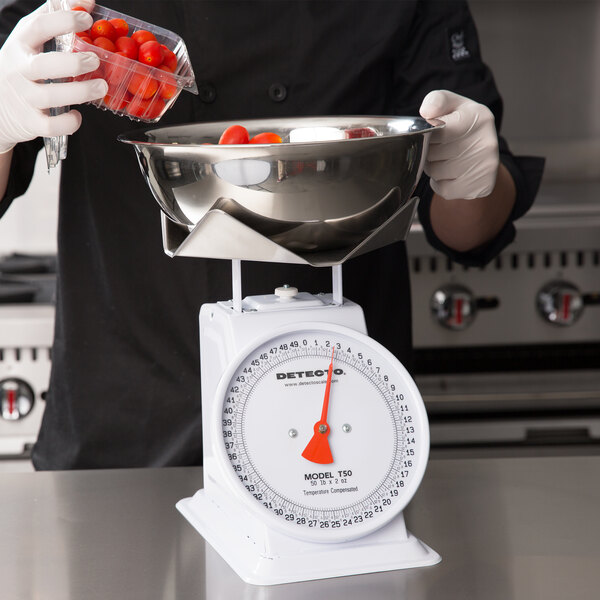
x,y
24,155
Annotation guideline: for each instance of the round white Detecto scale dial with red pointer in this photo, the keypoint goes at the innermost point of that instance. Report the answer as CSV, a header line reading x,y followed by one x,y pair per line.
x,y
268,430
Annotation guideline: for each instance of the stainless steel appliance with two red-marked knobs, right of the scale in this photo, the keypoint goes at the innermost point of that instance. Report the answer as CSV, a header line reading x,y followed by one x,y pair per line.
x,y
510,353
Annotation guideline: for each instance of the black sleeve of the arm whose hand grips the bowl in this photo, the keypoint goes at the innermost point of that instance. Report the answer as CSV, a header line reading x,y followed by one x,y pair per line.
x,y
444,53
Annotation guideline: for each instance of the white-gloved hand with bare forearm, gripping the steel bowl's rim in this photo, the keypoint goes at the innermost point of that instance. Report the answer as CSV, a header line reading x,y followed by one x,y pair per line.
x,y
474,193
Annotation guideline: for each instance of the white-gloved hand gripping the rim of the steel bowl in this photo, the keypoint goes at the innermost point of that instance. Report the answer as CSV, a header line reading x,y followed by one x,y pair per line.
x,y
463,160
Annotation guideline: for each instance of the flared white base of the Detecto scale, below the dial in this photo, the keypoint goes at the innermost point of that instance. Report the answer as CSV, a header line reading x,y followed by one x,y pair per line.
x,y
262,556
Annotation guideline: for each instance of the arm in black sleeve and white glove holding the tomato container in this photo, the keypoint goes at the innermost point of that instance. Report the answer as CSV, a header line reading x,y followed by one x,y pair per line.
x,y
25,98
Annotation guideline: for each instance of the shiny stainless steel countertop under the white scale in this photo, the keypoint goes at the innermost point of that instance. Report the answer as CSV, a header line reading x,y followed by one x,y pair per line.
x,y
507,528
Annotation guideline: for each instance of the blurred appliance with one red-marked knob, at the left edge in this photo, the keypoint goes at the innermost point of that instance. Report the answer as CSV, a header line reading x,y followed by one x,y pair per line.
x,y
26,333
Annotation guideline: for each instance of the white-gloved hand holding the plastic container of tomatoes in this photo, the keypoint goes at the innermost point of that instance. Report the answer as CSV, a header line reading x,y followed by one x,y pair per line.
x,y
24,97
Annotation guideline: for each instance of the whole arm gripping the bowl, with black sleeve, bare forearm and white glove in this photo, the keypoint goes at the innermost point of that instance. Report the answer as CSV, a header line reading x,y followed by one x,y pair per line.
x,y
442,53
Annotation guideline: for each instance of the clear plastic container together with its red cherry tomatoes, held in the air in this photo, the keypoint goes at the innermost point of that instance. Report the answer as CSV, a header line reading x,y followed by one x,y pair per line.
x,y
145,66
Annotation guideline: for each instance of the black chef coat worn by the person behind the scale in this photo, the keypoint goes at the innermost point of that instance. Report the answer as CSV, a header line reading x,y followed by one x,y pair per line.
x,y
125,383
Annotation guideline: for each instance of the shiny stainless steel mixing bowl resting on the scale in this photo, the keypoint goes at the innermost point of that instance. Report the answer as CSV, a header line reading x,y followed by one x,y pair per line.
x,y
307,196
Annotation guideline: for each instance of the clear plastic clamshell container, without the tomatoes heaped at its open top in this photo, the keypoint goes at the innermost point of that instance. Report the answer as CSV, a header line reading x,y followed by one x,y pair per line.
x,y
125,75
